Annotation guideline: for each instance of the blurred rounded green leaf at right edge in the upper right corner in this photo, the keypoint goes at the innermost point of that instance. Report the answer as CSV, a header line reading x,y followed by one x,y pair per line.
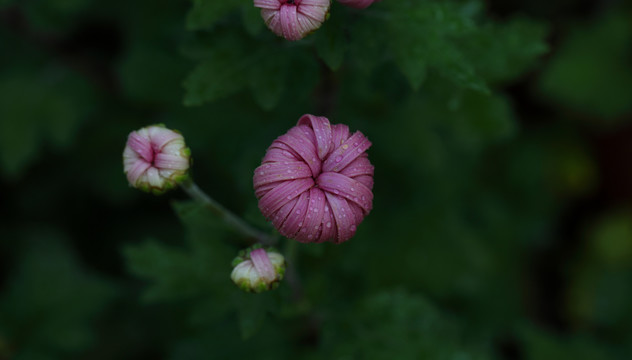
x,y
571,78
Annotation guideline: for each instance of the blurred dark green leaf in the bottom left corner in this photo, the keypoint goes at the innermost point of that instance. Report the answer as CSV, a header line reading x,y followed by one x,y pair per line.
x,y
51,300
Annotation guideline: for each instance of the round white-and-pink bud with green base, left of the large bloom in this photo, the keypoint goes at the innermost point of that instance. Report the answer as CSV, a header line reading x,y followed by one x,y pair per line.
x,y
155,159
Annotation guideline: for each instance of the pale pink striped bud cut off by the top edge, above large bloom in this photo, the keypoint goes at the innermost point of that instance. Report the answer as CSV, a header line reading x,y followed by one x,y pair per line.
x,y
293,19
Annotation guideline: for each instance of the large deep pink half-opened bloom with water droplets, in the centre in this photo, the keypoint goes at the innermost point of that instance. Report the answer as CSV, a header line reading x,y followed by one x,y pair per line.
x,y
315,181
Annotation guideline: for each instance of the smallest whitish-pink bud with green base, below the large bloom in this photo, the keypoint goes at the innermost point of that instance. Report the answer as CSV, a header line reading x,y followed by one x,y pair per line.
x,y
258,270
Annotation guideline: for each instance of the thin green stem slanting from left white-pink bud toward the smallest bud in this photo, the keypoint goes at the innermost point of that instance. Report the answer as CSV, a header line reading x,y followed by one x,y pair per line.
x,y
231,219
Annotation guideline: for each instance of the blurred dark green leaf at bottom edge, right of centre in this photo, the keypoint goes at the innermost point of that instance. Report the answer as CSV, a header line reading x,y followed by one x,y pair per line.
x,y
400,326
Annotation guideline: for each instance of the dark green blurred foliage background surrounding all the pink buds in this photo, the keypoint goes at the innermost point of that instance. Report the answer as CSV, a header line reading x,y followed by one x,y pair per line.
x,y
491,237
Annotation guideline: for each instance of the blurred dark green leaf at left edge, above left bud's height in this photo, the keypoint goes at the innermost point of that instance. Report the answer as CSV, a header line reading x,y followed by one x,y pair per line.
x,y
57,102
